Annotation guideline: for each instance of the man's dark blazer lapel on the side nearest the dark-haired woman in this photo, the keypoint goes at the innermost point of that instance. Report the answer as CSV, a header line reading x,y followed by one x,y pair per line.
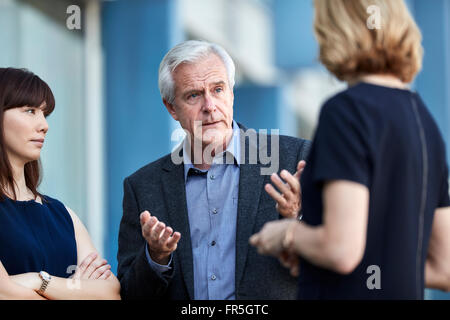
x,y
175,196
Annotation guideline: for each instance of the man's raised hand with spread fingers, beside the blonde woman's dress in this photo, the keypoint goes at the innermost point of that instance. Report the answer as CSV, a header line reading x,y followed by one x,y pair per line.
x,y
289,201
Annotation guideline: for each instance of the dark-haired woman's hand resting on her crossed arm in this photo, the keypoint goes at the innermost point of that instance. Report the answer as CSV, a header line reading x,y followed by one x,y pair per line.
x,y
93,268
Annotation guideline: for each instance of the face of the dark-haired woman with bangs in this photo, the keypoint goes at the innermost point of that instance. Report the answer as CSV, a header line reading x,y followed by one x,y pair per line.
x,y
24,133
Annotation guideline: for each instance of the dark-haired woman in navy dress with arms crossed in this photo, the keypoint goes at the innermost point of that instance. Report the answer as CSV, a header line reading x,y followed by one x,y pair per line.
x,y
41,241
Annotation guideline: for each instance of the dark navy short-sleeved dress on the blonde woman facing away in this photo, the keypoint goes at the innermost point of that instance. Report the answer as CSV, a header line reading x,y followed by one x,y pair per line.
x,y
385,139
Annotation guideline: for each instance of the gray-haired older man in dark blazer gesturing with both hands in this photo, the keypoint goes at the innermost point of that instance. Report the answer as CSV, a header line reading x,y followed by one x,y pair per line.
x,y
187,217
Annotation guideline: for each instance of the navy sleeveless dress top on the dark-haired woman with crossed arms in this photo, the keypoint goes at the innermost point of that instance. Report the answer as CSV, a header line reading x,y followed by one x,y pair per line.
x,y
35,237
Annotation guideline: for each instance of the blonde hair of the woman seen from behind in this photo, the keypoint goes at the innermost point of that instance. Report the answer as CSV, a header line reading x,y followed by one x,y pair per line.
x,y
350,47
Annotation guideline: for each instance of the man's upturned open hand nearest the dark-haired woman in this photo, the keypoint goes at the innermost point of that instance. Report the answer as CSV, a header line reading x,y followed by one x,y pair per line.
x,y
161,240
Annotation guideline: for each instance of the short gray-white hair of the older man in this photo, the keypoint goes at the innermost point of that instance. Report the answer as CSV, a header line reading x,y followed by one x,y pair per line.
x,y
188,52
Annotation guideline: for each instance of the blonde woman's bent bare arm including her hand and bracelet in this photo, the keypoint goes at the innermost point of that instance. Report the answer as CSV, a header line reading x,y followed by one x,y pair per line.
x,y
338,243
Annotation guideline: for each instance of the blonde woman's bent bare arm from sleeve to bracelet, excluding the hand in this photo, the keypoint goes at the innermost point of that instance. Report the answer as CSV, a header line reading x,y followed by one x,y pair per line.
x,y
339,242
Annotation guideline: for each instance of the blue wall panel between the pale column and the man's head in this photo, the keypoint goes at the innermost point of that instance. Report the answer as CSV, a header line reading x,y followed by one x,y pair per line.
x,y
136,36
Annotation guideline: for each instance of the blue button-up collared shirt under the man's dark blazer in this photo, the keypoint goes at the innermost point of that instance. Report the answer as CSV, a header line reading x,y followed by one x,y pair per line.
x,y
212,199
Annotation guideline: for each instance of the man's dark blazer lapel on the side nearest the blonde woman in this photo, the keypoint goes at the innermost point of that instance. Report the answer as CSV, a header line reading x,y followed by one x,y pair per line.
x,y
250,185
